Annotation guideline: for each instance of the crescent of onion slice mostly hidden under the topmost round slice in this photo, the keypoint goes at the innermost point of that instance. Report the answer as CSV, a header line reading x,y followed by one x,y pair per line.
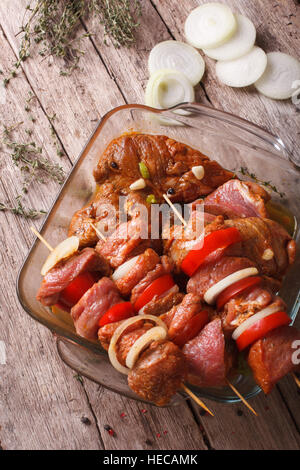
x,y
239,44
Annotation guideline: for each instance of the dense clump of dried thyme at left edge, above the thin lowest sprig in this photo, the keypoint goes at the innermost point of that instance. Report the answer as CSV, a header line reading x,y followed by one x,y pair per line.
x,y
28,157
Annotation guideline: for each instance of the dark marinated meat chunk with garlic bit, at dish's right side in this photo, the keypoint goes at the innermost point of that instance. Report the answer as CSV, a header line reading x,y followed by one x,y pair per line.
x,y
266,243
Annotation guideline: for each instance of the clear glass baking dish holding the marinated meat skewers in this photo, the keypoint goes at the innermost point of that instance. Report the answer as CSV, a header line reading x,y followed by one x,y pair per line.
x,y
233,142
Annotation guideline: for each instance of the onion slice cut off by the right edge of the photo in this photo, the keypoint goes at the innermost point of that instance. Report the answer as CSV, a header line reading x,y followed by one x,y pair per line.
x,y
282,72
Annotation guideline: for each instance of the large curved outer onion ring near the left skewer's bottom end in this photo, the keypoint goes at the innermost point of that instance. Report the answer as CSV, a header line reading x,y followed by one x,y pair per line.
x,y
112,353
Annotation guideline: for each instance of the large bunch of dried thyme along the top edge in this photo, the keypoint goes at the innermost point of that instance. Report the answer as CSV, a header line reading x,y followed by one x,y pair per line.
x,y
54,24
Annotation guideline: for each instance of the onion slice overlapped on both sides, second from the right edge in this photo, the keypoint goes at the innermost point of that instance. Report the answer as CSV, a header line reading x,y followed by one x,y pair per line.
x,y
243,71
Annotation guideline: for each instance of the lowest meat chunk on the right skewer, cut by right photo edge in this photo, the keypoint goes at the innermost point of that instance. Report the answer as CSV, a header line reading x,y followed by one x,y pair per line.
x,y
270,358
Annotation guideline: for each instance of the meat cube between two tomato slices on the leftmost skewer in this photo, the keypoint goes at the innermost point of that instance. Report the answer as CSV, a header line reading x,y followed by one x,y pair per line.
x,y
93,305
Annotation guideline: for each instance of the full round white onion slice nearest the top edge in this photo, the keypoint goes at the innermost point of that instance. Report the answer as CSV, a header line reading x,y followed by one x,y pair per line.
x,y
209,25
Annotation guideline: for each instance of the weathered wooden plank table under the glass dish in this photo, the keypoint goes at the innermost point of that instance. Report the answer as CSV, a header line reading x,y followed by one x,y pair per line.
x,y
42,404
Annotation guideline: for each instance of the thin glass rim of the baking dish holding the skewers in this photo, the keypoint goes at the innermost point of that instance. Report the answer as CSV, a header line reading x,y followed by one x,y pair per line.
x,y
233,120
